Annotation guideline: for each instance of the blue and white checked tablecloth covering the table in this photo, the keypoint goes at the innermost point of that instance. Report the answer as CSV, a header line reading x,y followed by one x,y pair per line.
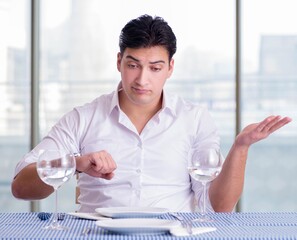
x,y
276,225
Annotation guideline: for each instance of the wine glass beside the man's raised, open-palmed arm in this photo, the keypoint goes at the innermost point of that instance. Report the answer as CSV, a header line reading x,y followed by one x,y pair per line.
x,y
204,166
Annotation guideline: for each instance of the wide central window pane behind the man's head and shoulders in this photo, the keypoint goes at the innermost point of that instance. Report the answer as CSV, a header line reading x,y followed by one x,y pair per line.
x,y
79,44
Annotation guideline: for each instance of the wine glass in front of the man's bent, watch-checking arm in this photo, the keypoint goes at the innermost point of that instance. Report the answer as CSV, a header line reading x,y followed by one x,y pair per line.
x,y
55,167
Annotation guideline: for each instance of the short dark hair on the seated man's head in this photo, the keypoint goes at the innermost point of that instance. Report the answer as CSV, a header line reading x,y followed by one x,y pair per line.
x,y
146,31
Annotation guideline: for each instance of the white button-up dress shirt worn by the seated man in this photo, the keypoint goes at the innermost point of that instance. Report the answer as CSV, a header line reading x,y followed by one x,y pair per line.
x,y
151,166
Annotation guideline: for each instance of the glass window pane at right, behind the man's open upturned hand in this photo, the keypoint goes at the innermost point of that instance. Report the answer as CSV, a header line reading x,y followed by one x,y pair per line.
x,y
269,87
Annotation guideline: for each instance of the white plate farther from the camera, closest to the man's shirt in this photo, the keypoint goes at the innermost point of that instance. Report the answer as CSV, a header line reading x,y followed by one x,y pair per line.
x,y
131,212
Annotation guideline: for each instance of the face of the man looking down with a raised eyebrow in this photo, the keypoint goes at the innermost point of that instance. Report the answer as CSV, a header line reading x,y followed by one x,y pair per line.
x,y
144,72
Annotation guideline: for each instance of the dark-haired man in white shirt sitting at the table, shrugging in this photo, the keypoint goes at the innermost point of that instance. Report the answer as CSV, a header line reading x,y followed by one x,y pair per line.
x,y
134,142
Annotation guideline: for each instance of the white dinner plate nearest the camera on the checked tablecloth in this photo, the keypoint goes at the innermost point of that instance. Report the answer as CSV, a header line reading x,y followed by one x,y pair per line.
x,y
138,225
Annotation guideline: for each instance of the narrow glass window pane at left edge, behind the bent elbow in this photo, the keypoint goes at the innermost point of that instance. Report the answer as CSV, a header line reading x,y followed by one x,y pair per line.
x,y
14,95
